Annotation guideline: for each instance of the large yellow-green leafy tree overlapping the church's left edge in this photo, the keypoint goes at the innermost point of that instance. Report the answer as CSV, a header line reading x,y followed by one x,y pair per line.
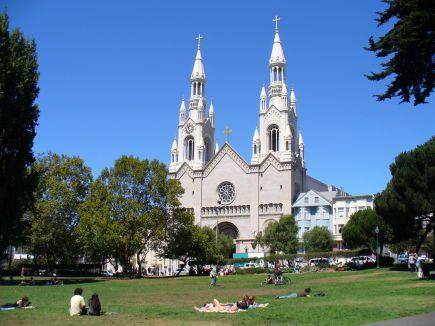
x,y
132,200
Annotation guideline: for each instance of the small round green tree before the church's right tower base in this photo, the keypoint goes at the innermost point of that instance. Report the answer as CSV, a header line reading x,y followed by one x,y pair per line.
x,y
280,236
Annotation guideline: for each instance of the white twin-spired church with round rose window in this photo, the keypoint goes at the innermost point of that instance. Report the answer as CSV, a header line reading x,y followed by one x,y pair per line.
x,y
224,191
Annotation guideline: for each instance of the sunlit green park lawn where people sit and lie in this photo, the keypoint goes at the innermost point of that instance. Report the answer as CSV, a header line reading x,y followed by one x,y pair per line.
x,y
352,298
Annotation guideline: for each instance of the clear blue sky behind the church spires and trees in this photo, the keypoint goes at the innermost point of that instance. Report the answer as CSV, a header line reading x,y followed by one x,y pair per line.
x,y
113,74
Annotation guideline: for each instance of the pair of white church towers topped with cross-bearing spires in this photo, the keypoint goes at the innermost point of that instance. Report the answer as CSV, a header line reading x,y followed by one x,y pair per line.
x,y
277,132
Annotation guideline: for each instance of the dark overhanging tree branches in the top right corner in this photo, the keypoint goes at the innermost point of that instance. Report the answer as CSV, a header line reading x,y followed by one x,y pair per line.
x,y
410,47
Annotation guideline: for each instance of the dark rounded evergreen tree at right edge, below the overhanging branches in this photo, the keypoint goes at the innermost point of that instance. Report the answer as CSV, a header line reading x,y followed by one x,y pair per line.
x,y
407,204
